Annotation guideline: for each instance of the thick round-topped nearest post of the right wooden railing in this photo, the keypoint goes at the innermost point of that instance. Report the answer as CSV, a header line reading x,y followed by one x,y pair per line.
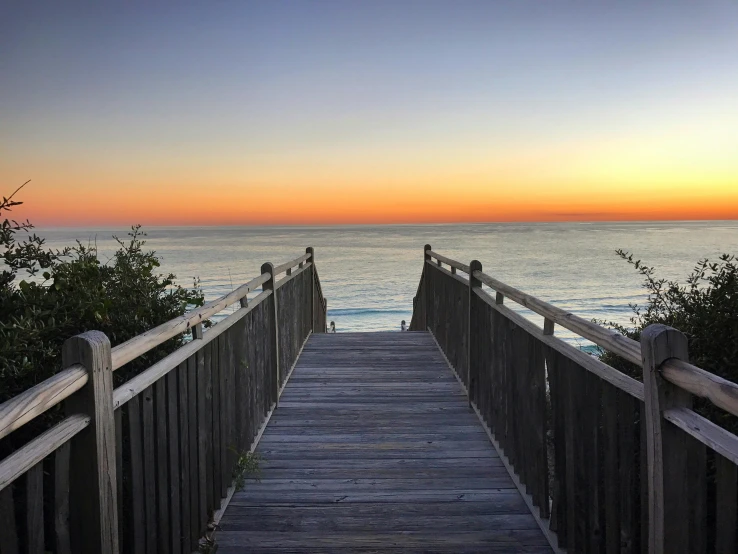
x,y
658,344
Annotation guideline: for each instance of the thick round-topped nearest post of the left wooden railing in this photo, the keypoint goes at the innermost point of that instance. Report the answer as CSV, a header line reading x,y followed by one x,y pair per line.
x,y
92,481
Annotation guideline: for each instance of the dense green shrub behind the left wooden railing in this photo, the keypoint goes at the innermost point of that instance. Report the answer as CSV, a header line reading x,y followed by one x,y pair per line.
x,y
47,296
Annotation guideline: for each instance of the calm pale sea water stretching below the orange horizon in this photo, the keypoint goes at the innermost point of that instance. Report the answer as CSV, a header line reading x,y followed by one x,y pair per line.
x,y
370,274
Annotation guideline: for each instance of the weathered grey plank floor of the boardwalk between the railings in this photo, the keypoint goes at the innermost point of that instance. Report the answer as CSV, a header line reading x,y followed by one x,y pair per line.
x,y
374,448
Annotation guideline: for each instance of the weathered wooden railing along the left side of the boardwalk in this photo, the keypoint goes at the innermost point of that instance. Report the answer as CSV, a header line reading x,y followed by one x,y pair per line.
x,y
144,467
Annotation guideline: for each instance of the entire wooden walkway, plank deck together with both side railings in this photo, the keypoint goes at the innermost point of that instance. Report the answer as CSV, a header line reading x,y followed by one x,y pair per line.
x,y
480,430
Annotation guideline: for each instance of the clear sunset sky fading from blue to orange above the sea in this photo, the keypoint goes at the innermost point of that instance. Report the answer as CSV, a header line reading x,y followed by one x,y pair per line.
x,y
340,112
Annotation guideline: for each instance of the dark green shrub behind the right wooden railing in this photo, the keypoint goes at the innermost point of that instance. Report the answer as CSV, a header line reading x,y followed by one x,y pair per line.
x,y
705,309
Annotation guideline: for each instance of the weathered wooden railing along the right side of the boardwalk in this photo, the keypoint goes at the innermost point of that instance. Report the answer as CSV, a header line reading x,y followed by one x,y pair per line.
x,y
607,463
